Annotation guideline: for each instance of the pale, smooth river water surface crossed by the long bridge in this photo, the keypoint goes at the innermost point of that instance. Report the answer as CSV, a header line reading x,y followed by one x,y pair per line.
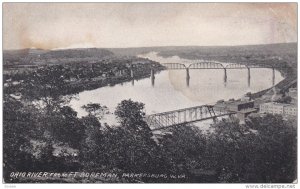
x,y
170,89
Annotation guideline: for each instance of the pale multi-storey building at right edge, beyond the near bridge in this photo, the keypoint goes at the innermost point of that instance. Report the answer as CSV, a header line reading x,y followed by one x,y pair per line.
x,y
278,108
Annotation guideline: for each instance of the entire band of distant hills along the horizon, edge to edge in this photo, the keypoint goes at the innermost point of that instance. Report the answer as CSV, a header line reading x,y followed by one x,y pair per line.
x,y
247,53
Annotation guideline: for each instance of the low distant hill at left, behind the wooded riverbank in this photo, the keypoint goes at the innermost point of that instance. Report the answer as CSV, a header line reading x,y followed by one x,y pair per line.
x,y
40,56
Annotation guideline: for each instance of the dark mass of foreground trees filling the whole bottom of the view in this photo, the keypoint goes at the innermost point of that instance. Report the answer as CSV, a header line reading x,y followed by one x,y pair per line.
x,y
262,151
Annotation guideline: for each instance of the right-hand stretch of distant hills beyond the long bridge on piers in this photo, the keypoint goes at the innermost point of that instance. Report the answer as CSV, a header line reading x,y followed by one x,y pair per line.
x,y
275,54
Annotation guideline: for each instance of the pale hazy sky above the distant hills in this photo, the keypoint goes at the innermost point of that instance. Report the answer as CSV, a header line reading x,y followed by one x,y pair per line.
x,y
71,25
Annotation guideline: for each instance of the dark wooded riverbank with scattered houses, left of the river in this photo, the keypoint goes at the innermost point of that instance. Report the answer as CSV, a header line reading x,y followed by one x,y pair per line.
x,y
67,79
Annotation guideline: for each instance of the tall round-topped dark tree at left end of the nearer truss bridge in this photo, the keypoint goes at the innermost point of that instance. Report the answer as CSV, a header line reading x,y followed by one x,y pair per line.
x,y
137,150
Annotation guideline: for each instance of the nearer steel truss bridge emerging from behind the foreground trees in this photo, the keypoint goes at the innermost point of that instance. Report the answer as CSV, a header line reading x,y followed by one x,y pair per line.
x,y
182,116
